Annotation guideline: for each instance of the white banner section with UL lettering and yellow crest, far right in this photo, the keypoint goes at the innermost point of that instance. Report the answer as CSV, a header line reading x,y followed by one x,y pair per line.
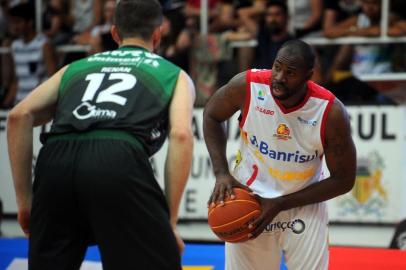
x,y
379,192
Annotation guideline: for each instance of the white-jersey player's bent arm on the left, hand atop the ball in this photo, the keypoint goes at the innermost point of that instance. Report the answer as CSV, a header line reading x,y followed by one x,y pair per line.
x,y
222,105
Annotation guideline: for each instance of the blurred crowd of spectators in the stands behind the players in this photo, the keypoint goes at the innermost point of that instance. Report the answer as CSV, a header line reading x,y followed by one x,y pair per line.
x,y
209,59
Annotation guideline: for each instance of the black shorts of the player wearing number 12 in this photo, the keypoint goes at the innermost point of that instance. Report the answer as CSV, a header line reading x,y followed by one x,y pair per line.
x,y
99,191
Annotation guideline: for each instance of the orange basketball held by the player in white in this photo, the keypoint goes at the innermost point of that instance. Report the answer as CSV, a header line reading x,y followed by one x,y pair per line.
x,y
230,221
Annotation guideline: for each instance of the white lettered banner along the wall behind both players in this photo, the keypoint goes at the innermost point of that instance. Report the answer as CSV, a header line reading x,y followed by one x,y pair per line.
x,y
379,194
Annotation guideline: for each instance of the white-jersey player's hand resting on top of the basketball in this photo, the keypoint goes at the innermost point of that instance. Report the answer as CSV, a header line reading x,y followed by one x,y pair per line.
x,y
224,188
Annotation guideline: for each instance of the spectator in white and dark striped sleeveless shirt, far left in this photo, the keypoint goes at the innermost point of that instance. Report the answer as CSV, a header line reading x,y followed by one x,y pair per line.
x,y
33,57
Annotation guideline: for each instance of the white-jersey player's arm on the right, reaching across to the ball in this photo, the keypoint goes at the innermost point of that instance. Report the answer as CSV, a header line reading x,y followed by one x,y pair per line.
x,y
340,157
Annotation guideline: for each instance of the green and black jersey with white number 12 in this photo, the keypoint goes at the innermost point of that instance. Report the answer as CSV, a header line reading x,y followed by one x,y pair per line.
x,y
128,89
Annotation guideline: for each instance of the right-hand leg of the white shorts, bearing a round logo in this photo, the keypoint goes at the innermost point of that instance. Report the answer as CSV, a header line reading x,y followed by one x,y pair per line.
x,y
305,241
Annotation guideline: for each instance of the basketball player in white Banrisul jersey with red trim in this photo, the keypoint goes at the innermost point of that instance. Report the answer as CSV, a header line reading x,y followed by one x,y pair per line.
x,y
288,124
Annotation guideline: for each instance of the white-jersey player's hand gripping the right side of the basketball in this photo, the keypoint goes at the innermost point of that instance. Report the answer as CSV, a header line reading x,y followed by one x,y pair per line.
x,y
270,208
